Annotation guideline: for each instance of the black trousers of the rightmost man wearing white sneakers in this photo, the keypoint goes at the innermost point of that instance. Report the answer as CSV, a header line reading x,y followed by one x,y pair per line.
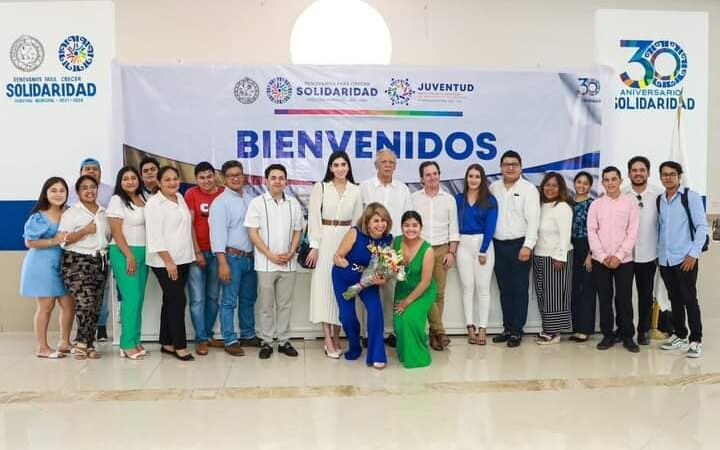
x,y
682,290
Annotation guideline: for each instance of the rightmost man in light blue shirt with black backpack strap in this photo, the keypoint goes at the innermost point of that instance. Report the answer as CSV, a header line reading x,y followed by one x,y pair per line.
x,y
680,243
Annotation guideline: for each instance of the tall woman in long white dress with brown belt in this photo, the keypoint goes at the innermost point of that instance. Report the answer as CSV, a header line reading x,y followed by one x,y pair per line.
x,y
335,204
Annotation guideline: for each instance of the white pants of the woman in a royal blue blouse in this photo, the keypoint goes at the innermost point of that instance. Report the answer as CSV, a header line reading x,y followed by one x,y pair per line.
x,y
475,279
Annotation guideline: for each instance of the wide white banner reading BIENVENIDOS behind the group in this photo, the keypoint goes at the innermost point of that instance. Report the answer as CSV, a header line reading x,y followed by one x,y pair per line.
x,y
298,115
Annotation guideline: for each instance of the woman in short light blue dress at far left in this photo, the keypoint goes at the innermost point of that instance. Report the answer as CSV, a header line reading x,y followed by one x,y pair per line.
x,y
40,276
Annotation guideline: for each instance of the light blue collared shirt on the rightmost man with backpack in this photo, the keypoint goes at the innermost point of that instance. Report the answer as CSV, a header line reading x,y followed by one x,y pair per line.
x,y
674,242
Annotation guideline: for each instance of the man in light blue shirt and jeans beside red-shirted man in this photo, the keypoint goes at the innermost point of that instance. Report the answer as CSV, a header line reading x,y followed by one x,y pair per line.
x,y
231,244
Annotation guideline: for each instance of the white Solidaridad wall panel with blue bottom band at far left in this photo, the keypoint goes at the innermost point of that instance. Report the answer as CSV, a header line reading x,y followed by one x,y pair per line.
x,y
56,101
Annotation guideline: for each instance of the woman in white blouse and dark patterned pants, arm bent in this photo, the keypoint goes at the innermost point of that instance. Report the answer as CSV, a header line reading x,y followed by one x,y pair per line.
x,y
84,262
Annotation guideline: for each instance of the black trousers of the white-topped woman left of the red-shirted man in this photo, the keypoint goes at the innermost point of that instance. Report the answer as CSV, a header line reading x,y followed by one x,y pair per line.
x,y
172,313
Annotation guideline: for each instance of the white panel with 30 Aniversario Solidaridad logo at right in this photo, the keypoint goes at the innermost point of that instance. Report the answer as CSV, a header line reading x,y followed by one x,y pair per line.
x,y
661,61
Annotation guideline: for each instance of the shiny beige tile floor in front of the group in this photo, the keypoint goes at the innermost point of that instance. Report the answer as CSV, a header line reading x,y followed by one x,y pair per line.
x,y
567,396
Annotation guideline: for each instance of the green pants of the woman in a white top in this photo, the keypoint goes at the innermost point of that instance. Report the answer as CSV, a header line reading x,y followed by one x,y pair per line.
x,y
132,294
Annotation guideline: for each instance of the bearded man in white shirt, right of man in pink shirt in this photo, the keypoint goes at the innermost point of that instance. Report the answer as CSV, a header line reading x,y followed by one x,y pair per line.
x,y
645,251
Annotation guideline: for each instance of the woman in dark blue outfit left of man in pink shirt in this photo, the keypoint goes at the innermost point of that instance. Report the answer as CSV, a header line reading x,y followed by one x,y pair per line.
x,y
582,303
